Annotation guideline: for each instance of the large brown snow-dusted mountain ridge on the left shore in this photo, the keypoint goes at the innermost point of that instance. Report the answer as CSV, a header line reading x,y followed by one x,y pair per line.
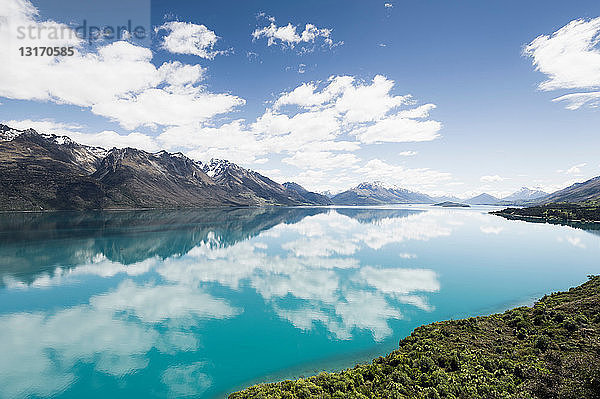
x,y
42,172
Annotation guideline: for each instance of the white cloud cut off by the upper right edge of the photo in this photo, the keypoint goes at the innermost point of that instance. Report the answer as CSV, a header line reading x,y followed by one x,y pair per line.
x,y
570,58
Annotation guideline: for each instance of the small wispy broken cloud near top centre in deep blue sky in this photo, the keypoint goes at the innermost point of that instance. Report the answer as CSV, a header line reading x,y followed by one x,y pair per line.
x,y
292,35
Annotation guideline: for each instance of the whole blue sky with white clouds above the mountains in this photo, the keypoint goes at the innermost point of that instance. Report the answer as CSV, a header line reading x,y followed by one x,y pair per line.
x,y
440,97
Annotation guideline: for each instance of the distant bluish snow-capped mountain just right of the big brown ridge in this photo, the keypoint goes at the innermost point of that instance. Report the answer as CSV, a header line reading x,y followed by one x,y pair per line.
x,y
378,194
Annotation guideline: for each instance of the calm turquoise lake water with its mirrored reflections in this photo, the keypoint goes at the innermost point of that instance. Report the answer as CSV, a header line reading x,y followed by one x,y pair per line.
x,y
201,303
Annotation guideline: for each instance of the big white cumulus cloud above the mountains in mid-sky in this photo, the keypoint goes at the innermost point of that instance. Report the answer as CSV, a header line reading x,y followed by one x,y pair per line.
x,y
315,125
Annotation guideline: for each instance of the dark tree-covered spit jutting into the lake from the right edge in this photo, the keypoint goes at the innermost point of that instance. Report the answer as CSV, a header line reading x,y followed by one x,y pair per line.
x,y
557,212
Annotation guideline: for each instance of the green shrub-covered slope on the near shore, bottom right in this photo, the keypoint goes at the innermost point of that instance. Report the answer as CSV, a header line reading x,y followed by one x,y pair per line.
x,y
550,350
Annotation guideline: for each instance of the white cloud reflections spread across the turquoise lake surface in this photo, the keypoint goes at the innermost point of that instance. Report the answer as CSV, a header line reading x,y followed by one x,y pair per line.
x,y
313,259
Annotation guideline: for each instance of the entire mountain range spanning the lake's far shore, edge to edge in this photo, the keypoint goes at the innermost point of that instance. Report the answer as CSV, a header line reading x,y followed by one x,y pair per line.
x,y
43,171
